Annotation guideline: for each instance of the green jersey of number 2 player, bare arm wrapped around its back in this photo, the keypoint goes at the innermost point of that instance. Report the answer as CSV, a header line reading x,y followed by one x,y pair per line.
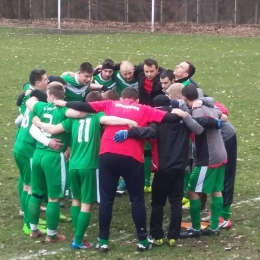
x,y
48,113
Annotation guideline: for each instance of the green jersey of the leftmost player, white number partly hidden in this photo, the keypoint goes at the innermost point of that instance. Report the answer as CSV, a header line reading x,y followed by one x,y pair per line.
x,y
25,144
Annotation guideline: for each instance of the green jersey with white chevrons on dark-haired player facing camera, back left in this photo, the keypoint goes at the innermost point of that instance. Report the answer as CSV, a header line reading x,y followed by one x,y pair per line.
x,y
74,90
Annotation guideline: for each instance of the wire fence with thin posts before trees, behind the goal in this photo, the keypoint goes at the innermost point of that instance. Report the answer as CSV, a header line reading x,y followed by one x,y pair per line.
x,y
134,11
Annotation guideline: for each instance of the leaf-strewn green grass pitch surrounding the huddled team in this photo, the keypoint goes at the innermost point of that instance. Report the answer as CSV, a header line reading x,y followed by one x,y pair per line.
x,y
227,69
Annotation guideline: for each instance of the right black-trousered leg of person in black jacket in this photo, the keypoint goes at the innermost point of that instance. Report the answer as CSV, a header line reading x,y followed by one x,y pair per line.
x,y
175,194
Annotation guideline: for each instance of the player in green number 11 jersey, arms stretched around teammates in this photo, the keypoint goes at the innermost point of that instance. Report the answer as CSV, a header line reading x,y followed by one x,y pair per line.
x,y
86,133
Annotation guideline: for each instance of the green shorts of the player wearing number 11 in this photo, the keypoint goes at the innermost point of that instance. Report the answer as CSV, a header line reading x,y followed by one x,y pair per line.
x,y
84,185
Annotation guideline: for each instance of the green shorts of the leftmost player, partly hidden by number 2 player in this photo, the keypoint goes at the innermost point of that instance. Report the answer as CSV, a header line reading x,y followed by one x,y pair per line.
x,y
24,165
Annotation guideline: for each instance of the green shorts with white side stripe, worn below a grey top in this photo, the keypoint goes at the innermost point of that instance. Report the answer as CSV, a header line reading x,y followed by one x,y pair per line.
x,y
207,180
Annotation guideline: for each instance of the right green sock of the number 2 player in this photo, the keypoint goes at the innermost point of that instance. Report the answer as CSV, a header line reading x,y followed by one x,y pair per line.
x,y
52,215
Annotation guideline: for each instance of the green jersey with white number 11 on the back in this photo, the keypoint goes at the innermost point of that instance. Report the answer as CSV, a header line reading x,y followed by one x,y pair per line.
x,y
85,143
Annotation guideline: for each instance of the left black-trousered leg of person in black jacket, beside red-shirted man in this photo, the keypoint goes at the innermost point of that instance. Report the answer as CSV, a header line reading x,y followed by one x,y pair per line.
x,y
159,197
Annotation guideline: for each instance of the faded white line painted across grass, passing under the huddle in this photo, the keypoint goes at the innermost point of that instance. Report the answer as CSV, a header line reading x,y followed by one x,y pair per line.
x,y
122,237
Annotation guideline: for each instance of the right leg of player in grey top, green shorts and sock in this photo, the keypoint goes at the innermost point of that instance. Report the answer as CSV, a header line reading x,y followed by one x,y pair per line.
x,y
213,184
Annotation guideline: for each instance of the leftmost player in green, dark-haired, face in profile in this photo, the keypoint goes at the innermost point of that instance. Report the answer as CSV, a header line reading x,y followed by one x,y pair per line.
x,y
24,145
